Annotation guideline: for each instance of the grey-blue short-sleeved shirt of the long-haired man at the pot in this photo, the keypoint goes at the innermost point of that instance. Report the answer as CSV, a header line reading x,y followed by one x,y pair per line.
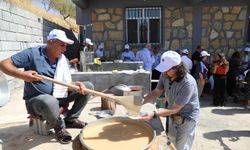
x,y
183,93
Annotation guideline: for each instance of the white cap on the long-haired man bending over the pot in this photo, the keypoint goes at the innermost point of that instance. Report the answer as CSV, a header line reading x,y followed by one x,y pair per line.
x,y
169,59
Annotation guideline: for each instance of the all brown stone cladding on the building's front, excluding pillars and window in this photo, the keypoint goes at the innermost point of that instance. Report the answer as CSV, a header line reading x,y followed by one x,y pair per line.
x,y
222,29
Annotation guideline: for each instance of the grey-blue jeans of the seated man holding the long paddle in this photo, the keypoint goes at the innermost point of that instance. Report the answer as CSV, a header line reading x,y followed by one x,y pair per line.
x,y
47,106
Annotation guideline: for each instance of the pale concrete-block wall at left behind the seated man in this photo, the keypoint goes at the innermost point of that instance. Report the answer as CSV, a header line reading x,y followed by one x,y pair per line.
x,y
20,29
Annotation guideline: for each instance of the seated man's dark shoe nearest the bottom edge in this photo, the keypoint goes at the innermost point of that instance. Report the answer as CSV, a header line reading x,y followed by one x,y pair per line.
x,y
63,136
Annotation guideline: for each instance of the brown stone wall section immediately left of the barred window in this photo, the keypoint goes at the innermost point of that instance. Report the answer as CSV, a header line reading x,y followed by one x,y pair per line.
x,y
108,28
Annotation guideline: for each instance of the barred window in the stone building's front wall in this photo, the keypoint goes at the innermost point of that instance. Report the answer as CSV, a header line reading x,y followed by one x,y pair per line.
x,y
143,25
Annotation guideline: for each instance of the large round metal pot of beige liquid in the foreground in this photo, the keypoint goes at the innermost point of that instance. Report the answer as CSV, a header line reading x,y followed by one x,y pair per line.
x,y
118,133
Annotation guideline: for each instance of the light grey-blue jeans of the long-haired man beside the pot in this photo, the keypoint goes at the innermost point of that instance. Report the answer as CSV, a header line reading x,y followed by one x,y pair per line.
x,y
182,135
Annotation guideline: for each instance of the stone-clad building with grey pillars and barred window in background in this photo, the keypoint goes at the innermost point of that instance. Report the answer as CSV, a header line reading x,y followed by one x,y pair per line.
x,y
219,25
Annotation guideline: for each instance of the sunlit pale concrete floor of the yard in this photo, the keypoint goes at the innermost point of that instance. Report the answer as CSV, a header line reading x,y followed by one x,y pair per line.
x,y
219,128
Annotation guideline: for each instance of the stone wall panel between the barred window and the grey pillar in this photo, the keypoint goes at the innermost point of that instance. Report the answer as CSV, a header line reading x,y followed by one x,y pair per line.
x,y
178,28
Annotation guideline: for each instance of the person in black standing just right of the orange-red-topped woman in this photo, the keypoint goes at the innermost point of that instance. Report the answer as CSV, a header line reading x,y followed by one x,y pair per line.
x,y
233,74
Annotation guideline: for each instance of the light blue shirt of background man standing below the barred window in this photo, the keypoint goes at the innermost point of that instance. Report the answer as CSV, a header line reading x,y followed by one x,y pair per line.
x,y
147,58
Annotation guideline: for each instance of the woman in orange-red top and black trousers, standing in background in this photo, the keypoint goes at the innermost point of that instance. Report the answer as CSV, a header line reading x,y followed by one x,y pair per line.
x,y
220,69
